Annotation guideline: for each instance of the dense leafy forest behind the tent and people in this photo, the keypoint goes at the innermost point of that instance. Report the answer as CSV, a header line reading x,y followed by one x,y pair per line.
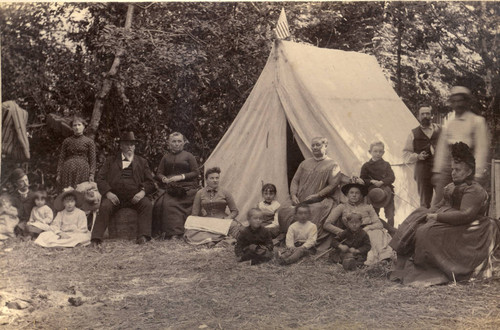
x,y
161,67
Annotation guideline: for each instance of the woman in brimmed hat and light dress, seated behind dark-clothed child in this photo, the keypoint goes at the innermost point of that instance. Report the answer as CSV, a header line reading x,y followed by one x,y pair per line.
x,y
336,222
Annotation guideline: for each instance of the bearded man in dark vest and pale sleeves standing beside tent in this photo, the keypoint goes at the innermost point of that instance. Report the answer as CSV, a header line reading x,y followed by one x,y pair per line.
x,y
419,149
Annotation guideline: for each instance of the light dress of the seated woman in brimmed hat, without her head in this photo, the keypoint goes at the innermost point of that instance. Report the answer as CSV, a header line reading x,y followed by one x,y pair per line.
x,y
379,237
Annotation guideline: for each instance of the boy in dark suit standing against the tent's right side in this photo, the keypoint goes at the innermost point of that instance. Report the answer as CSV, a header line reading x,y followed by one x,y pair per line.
x,y
377,173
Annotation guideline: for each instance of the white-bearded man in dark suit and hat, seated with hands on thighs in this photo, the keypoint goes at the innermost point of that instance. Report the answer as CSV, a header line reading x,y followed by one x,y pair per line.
x,y
124,181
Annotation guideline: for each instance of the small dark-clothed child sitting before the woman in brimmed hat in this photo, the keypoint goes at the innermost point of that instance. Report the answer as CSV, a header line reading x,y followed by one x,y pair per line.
x,y
351,246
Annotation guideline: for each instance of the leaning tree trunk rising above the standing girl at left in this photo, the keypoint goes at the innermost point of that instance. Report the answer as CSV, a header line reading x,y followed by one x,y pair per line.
x,y
108,81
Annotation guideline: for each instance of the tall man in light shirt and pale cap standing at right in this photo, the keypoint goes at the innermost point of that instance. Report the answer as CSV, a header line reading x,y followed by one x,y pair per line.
x,y
466,127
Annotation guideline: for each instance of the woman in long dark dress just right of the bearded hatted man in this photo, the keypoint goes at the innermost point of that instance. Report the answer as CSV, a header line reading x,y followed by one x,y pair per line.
x,y
178,173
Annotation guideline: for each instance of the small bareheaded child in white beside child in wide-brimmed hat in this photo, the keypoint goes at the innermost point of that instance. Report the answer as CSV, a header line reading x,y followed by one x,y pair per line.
x,y
41,215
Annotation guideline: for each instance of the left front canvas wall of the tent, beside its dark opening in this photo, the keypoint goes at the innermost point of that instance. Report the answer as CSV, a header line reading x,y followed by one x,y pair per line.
x,y
253,150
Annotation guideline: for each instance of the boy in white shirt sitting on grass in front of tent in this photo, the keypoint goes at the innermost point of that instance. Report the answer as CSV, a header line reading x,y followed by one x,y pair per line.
x,y
301,236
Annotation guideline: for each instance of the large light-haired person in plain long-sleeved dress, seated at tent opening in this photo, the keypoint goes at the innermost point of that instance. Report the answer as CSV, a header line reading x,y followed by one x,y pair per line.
x,y
315,183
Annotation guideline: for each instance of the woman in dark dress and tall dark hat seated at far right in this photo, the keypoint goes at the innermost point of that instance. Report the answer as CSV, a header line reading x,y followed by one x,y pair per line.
x,y
452,241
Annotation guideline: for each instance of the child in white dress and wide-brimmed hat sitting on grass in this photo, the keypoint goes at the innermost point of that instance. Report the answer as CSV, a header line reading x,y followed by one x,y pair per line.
x,y
69,227
